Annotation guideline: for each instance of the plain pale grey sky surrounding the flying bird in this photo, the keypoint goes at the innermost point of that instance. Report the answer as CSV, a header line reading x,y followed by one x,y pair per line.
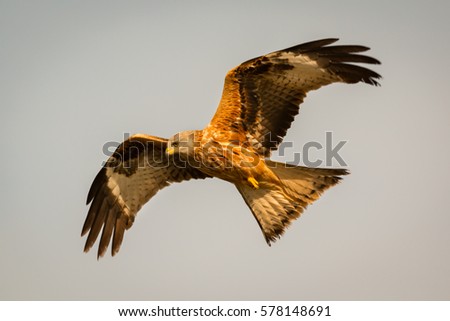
x,y
77,74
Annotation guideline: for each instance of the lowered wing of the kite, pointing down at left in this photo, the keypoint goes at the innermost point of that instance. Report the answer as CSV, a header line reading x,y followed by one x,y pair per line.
x,y
136,171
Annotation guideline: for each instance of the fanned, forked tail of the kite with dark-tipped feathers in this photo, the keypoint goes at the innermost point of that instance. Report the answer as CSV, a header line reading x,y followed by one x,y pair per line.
x,y
276,206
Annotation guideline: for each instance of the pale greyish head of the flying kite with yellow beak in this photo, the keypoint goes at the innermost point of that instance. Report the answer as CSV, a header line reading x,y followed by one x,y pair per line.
x,y
183,144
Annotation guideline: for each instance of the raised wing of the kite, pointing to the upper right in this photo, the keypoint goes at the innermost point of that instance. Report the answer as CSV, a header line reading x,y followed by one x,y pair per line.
x,y
261,96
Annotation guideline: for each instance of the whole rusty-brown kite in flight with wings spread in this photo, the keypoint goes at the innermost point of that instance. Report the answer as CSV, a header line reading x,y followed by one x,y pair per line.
x,y
259,101
